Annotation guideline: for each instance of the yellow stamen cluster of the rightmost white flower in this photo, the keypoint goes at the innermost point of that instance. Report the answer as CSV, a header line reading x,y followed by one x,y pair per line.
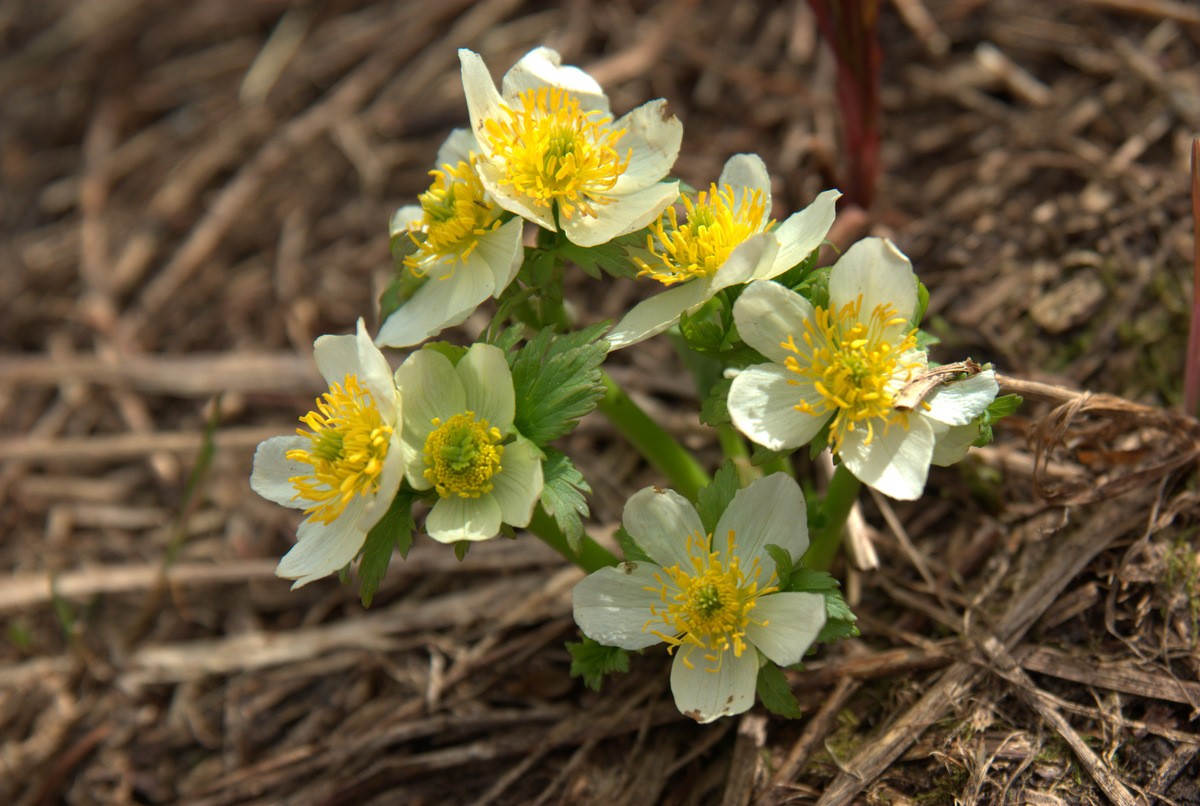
x,y
856,366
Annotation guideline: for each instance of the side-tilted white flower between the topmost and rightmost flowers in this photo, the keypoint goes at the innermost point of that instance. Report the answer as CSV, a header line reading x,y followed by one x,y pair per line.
x,y
727,239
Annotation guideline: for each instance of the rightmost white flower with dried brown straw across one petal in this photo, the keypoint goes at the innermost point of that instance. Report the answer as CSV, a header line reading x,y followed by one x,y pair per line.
x,y
844,366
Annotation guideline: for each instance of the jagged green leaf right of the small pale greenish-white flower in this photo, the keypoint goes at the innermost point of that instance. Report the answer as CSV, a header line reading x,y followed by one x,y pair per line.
x,y
557,381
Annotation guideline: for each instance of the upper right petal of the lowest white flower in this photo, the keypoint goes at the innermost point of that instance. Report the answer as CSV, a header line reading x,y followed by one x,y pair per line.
x,y
771,510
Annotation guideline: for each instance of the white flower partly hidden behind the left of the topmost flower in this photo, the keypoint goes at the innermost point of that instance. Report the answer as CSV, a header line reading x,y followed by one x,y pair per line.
x,y
465,250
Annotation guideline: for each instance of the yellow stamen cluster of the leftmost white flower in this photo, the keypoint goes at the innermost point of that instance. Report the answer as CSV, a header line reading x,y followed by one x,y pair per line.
x,y
349,444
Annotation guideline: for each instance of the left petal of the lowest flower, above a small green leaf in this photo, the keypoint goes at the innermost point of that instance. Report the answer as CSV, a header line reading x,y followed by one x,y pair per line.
x,y
614,605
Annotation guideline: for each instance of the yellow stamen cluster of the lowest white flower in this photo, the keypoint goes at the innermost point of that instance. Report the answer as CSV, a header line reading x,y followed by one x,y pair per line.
x,y
709,606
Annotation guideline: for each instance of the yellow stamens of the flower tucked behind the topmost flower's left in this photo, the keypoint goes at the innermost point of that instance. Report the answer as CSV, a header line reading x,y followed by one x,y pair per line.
x,y
455,216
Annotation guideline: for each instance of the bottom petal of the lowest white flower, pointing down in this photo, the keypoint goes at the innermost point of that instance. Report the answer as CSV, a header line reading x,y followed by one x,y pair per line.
x,y
706,696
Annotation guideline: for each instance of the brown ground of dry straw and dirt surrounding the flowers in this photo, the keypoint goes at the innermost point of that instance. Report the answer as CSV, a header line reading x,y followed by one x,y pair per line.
x,y
193,193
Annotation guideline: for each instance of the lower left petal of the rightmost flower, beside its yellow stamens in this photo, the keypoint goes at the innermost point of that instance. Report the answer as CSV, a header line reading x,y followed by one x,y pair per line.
x,y
763,405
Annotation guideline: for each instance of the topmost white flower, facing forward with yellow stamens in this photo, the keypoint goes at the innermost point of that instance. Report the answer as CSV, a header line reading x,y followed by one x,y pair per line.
x,y
551,152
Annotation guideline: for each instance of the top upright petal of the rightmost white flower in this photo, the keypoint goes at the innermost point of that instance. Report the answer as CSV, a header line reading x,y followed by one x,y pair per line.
x,y
875,269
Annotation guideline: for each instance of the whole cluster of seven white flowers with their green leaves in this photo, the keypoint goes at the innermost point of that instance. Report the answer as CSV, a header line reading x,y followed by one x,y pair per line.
x,y
831,358
